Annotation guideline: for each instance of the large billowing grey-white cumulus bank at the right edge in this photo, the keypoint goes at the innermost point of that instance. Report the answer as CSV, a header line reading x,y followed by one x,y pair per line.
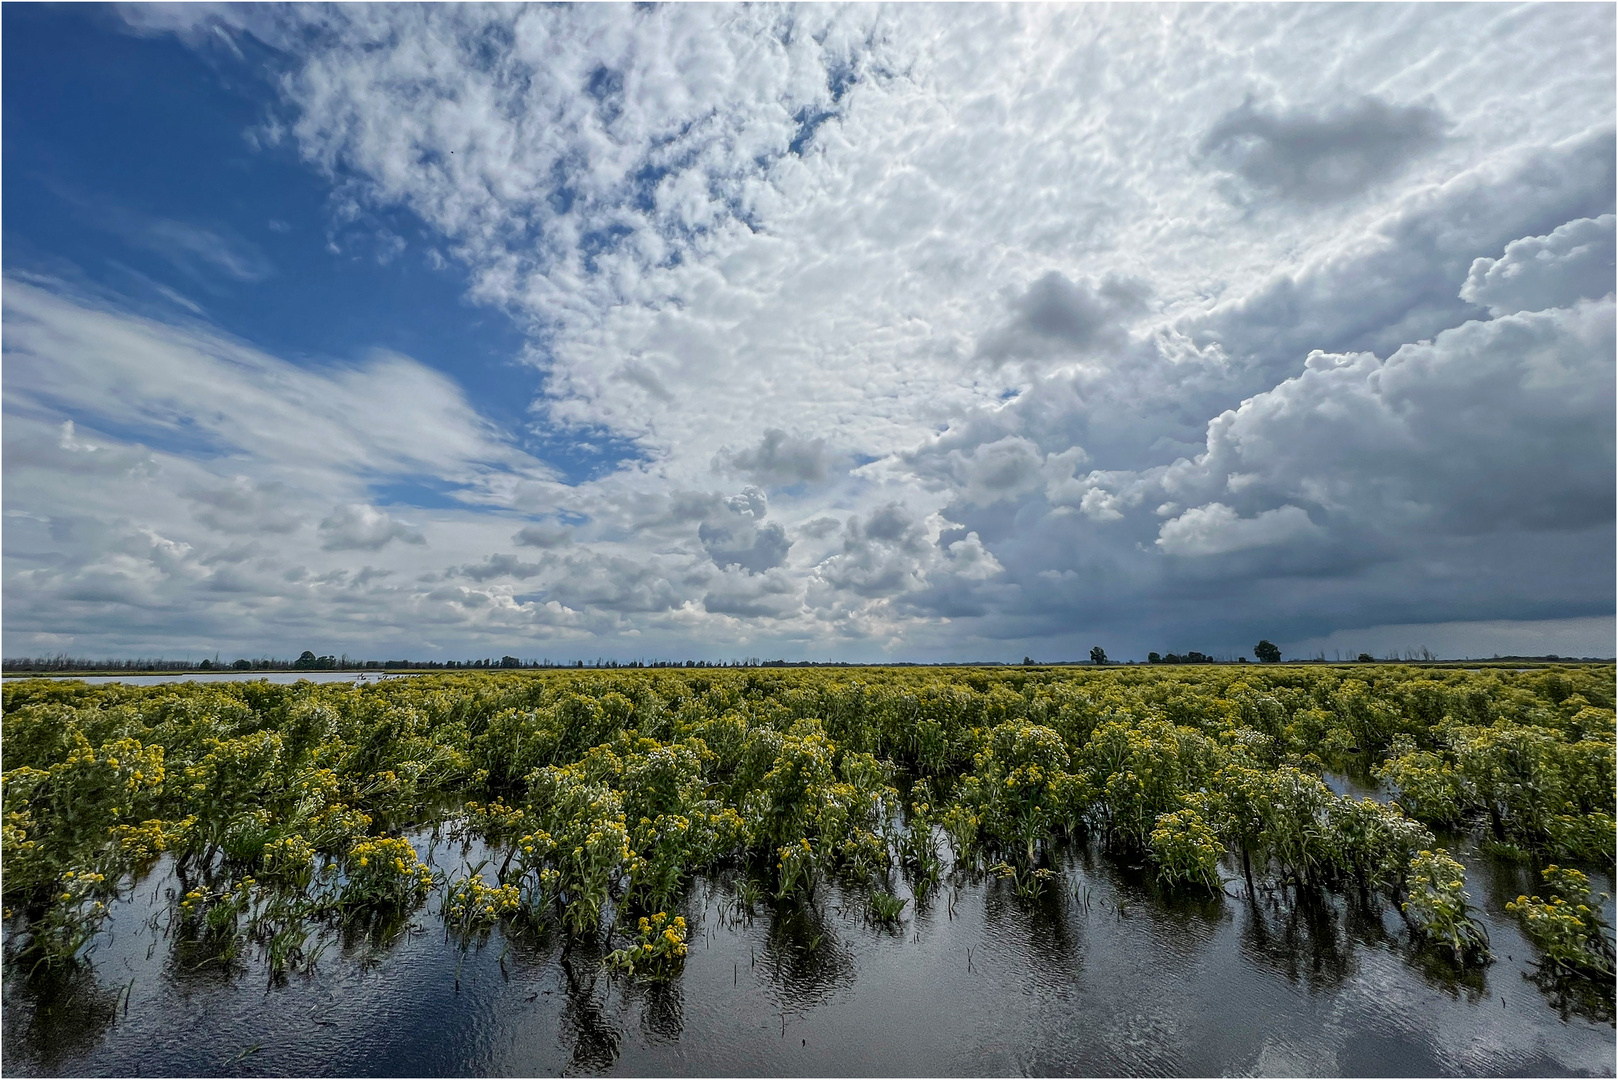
x,y
1489,427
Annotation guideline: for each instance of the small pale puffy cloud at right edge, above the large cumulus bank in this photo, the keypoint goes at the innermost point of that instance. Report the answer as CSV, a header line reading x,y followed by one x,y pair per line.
x,y
1536,273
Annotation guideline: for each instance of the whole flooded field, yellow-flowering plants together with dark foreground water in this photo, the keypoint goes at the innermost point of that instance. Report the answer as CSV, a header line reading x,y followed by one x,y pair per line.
x,y
871,874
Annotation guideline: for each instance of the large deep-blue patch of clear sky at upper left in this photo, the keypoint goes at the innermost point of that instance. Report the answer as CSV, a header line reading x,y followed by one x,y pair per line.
x,y
111,148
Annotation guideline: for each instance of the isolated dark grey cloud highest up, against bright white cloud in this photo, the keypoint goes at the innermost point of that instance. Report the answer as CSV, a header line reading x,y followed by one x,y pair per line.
x,y
1321,156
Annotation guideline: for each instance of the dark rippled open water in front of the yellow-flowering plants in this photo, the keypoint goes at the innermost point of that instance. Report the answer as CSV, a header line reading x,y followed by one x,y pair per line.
x,y
1101,977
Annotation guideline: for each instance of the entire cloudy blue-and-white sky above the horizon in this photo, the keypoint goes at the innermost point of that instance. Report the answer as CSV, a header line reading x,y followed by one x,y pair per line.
x,y
813,333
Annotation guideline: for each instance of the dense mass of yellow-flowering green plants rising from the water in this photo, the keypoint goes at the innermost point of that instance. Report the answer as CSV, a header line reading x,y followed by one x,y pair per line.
x,y
286,809
